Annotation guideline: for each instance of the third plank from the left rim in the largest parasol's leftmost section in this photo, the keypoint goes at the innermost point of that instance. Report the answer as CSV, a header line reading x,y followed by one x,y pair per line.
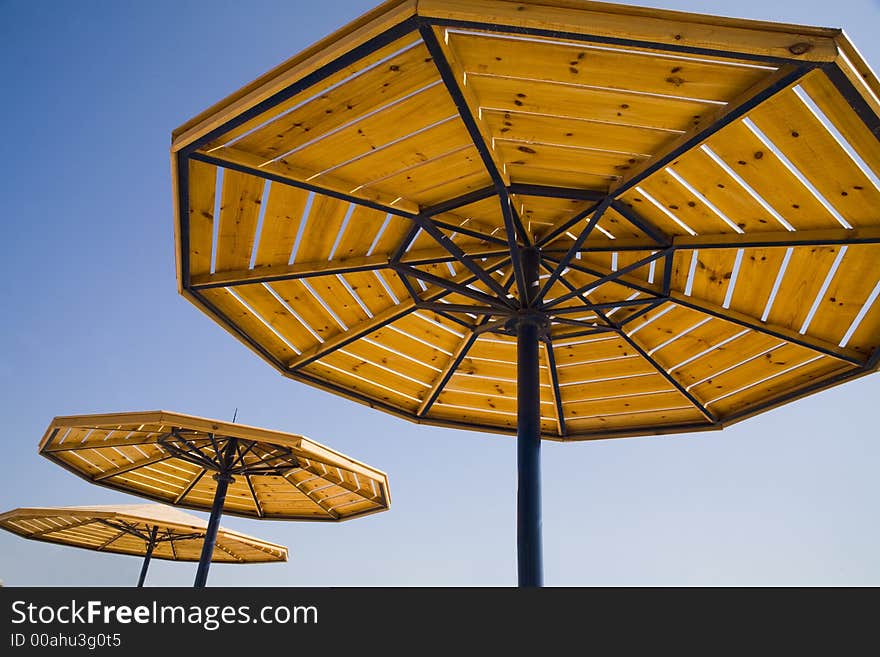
x,y
284,212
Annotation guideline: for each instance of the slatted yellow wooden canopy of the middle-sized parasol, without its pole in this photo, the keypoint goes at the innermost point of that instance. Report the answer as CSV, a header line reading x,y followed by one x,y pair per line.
x,y
324,486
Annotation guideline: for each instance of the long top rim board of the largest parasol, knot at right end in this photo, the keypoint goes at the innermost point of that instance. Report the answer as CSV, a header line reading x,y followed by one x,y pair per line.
x,y
651,26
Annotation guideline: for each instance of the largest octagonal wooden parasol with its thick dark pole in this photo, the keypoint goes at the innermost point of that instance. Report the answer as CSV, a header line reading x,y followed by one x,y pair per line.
x,y
564,219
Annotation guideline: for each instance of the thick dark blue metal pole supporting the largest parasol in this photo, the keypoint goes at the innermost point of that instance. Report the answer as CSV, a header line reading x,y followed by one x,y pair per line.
x,y
529,326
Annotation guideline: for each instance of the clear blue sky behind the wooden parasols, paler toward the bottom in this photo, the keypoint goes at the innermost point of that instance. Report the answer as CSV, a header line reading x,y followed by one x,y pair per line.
x,y
93,323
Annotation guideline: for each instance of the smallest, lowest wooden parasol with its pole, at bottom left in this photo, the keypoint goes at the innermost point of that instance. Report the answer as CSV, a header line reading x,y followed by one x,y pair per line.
x,y
147,530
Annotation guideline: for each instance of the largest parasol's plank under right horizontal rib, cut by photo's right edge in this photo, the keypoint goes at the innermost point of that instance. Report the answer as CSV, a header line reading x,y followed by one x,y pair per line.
x,y
853,282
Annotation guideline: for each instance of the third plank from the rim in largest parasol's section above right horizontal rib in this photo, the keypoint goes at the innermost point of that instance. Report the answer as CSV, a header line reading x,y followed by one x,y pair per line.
x,y
764,172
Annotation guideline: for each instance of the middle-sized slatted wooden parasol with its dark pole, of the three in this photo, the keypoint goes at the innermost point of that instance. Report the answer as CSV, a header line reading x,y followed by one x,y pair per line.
x,y
216,466
